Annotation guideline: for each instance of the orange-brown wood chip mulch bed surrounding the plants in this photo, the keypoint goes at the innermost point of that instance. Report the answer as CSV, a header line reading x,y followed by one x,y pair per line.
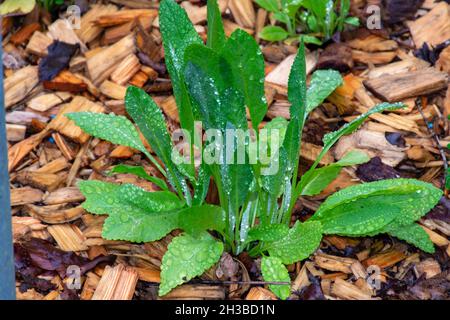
x,y
119,44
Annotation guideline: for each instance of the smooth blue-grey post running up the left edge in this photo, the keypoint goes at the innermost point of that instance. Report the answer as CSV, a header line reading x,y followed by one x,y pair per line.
x,y
7,278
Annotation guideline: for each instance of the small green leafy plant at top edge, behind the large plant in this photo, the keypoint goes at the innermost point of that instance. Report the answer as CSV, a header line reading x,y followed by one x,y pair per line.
x,y
316,20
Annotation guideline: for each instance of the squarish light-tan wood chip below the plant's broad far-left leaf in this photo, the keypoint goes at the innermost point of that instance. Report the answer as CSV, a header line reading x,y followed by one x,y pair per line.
x,y
68,237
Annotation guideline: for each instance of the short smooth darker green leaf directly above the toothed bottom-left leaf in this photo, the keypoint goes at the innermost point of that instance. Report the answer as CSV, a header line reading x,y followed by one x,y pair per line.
x,y
193,220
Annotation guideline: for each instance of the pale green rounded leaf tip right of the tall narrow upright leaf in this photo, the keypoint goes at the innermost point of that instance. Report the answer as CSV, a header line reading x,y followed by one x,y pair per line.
x,y
323,83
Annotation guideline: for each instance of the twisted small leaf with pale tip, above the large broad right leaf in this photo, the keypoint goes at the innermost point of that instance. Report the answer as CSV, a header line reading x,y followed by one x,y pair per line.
x,y
316,182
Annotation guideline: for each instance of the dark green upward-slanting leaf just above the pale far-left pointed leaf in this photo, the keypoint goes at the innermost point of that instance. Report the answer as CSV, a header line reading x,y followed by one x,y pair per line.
x,y
151,122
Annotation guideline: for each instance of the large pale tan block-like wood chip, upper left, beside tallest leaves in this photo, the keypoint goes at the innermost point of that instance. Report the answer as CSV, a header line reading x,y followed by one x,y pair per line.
x,y
101,65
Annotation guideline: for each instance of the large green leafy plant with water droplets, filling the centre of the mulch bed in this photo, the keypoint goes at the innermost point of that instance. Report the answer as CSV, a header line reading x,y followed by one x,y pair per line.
x,y
214,84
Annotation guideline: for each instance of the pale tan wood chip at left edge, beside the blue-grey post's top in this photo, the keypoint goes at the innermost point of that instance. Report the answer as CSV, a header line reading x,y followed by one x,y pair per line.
x,y
20,84
